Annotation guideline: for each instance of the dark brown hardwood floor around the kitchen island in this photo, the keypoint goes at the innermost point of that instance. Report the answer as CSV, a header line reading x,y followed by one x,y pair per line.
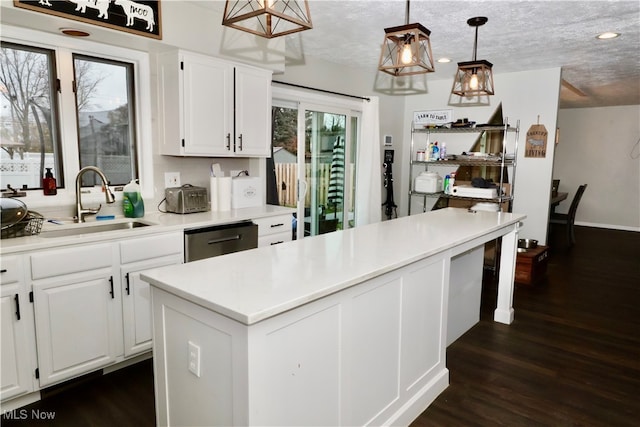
x,y
571,358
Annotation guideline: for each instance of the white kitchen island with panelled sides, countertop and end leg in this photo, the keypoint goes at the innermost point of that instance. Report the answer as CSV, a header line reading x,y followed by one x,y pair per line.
x,y
346,328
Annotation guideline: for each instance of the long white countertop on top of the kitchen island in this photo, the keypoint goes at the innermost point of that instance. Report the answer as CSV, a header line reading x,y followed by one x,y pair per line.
x,y
253,285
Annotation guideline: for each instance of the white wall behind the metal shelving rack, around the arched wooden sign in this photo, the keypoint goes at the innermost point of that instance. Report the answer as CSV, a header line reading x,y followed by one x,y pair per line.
x,y
525,96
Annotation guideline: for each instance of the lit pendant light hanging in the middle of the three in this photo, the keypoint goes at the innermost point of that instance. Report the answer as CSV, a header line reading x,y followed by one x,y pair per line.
x,y
406,49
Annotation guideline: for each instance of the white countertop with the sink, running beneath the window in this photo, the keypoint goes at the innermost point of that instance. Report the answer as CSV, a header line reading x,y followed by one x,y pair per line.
x,y
158,222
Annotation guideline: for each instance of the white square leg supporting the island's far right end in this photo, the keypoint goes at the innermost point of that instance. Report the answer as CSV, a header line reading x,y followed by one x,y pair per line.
x,y
504,311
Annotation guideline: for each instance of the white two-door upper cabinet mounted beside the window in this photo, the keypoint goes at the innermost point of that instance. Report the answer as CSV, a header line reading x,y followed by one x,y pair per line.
x,y
213,108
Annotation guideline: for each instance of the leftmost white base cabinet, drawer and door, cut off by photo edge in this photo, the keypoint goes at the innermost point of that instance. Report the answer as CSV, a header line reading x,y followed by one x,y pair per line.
x,y
16,327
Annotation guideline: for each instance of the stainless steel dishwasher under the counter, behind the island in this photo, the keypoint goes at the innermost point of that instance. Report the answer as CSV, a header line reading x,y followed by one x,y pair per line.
x,y
207,242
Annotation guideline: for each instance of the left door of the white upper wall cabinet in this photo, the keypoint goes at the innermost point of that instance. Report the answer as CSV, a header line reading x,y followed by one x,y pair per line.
x,y
207,98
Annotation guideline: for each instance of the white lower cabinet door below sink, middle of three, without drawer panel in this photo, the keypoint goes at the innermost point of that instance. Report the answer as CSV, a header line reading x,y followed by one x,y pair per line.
x,y
78,324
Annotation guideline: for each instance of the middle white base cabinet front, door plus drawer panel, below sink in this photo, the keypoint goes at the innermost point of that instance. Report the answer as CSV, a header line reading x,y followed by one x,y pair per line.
x,y
78,317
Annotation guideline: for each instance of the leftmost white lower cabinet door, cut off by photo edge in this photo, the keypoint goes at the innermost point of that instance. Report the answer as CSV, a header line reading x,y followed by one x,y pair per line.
x,y
16,370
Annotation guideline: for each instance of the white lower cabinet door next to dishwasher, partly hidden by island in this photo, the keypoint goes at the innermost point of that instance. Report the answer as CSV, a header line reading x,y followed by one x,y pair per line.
x,y
136,305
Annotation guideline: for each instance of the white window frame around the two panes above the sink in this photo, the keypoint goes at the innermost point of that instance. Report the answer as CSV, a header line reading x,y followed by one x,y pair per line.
x,y
64,48
